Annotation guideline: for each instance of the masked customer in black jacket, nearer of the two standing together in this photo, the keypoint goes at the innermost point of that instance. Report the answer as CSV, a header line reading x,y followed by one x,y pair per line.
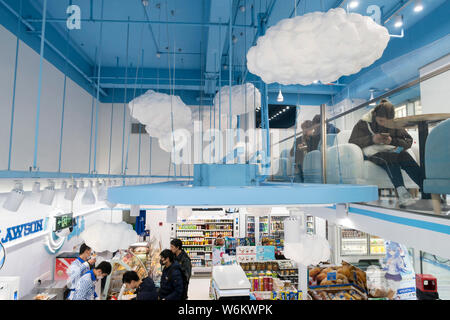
x,y
171,286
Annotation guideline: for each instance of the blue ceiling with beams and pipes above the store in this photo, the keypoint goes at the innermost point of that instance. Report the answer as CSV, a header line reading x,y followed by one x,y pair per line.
x,y
190,29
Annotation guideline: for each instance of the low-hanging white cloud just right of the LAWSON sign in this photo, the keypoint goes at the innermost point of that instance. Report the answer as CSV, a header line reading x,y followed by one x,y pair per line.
x,y
103,236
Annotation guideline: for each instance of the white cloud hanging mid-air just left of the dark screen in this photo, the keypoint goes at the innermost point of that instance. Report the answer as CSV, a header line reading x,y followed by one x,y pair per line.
x,y
241,95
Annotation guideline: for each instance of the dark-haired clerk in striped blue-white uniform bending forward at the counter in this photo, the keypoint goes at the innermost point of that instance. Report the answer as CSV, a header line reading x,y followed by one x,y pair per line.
x,y
85,289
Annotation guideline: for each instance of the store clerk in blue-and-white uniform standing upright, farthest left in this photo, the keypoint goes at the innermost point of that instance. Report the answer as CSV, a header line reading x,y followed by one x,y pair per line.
x,y
79,267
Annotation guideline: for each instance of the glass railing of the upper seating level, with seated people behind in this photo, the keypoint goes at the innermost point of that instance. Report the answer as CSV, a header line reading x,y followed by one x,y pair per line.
x,y
401,146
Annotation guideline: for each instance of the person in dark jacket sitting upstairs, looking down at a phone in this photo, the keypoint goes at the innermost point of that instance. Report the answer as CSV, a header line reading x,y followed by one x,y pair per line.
x,y
387,147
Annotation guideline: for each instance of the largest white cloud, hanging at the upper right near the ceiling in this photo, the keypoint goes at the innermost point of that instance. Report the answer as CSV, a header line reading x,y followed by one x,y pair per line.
x,y
317,46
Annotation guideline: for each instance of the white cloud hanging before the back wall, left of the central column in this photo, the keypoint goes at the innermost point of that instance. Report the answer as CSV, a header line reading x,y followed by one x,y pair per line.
x,y
153,109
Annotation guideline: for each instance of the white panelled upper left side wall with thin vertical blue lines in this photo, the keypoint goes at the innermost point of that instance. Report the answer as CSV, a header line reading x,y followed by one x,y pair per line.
x,y
75,151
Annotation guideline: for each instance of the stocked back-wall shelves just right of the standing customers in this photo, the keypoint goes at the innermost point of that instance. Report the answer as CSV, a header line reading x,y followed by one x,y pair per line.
x,y
198,238
